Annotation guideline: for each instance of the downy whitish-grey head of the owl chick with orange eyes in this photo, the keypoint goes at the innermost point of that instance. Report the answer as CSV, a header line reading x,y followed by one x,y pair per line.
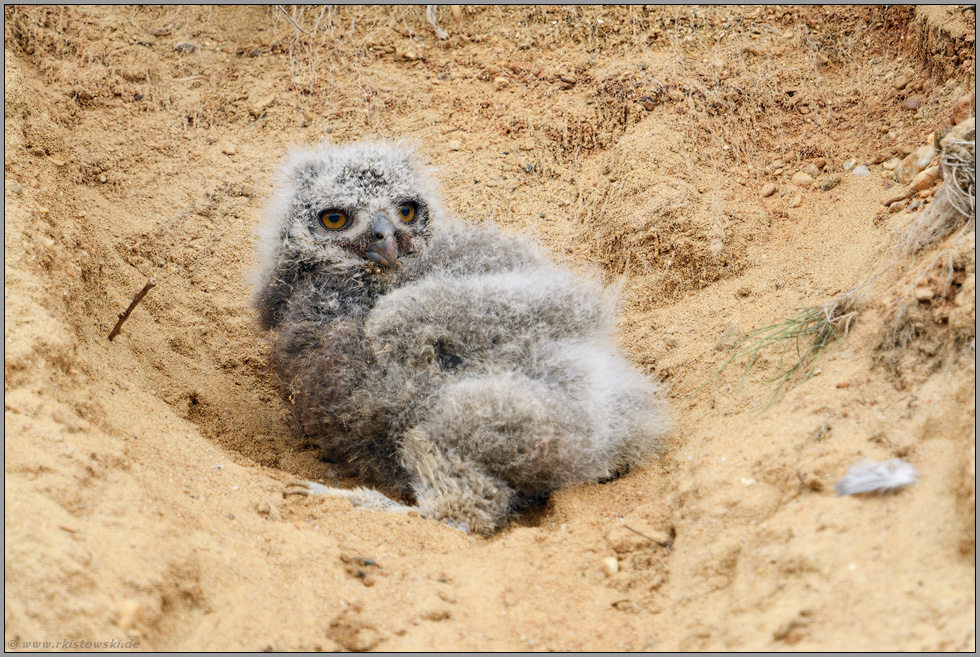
x,y
367,205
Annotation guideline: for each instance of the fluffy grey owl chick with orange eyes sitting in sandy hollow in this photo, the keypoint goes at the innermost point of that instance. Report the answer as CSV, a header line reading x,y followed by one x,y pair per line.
x,y
451,364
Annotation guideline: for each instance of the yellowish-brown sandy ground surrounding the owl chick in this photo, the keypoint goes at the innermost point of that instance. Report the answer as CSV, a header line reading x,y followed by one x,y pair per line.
x,y
143,476
